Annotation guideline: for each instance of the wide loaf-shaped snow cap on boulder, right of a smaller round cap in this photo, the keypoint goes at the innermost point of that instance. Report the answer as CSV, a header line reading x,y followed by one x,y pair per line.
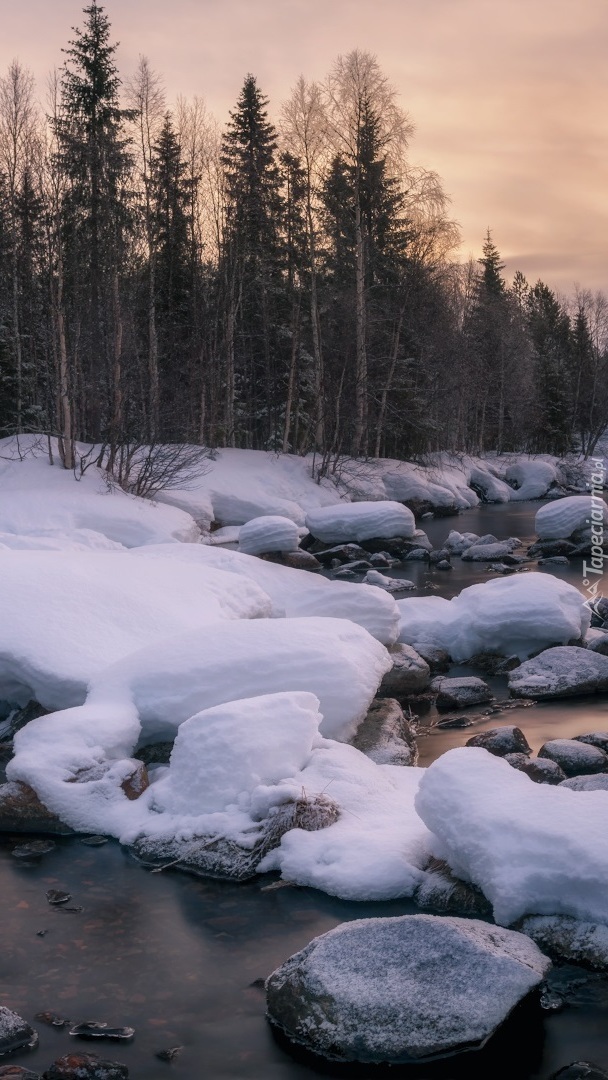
x,y
361,521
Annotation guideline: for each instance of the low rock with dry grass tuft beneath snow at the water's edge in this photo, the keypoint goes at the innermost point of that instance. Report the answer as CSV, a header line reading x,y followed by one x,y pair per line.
x,y
224,858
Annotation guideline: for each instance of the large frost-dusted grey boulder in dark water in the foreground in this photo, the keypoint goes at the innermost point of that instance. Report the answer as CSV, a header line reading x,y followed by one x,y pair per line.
x,y
380,990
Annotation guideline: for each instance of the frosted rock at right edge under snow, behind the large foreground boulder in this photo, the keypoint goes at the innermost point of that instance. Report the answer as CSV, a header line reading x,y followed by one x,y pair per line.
x,y
564,938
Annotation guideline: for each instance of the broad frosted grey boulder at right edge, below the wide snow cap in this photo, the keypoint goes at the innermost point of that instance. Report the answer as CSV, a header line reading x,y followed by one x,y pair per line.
x,y
565,671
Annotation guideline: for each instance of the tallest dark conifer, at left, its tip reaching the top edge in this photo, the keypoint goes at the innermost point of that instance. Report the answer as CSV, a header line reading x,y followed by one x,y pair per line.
x,y
94,159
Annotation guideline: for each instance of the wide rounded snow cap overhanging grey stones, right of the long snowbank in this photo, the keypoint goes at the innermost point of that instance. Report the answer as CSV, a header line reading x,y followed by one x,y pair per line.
x,y
517,615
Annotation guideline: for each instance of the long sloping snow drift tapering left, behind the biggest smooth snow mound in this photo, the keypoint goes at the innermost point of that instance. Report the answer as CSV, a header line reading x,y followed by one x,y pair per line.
x,y
295,593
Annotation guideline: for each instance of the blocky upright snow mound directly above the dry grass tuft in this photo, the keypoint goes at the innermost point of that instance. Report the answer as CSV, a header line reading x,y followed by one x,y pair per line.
x,y
224,753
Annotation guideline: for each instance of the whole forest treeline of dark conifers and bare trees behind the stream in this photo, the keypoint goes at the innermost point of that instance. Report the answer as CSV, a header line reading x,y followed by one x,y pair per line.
x,y
288,287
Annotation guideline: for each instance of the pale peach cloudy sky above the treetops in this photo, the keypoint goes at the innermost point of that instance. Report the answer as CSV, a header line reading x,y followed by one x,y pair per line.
x,y
509,98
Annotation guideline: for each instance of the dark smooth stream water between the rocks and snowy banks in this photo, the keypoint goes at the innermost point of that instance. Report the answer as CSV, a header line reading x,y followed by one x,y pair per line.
x,y
179,958
